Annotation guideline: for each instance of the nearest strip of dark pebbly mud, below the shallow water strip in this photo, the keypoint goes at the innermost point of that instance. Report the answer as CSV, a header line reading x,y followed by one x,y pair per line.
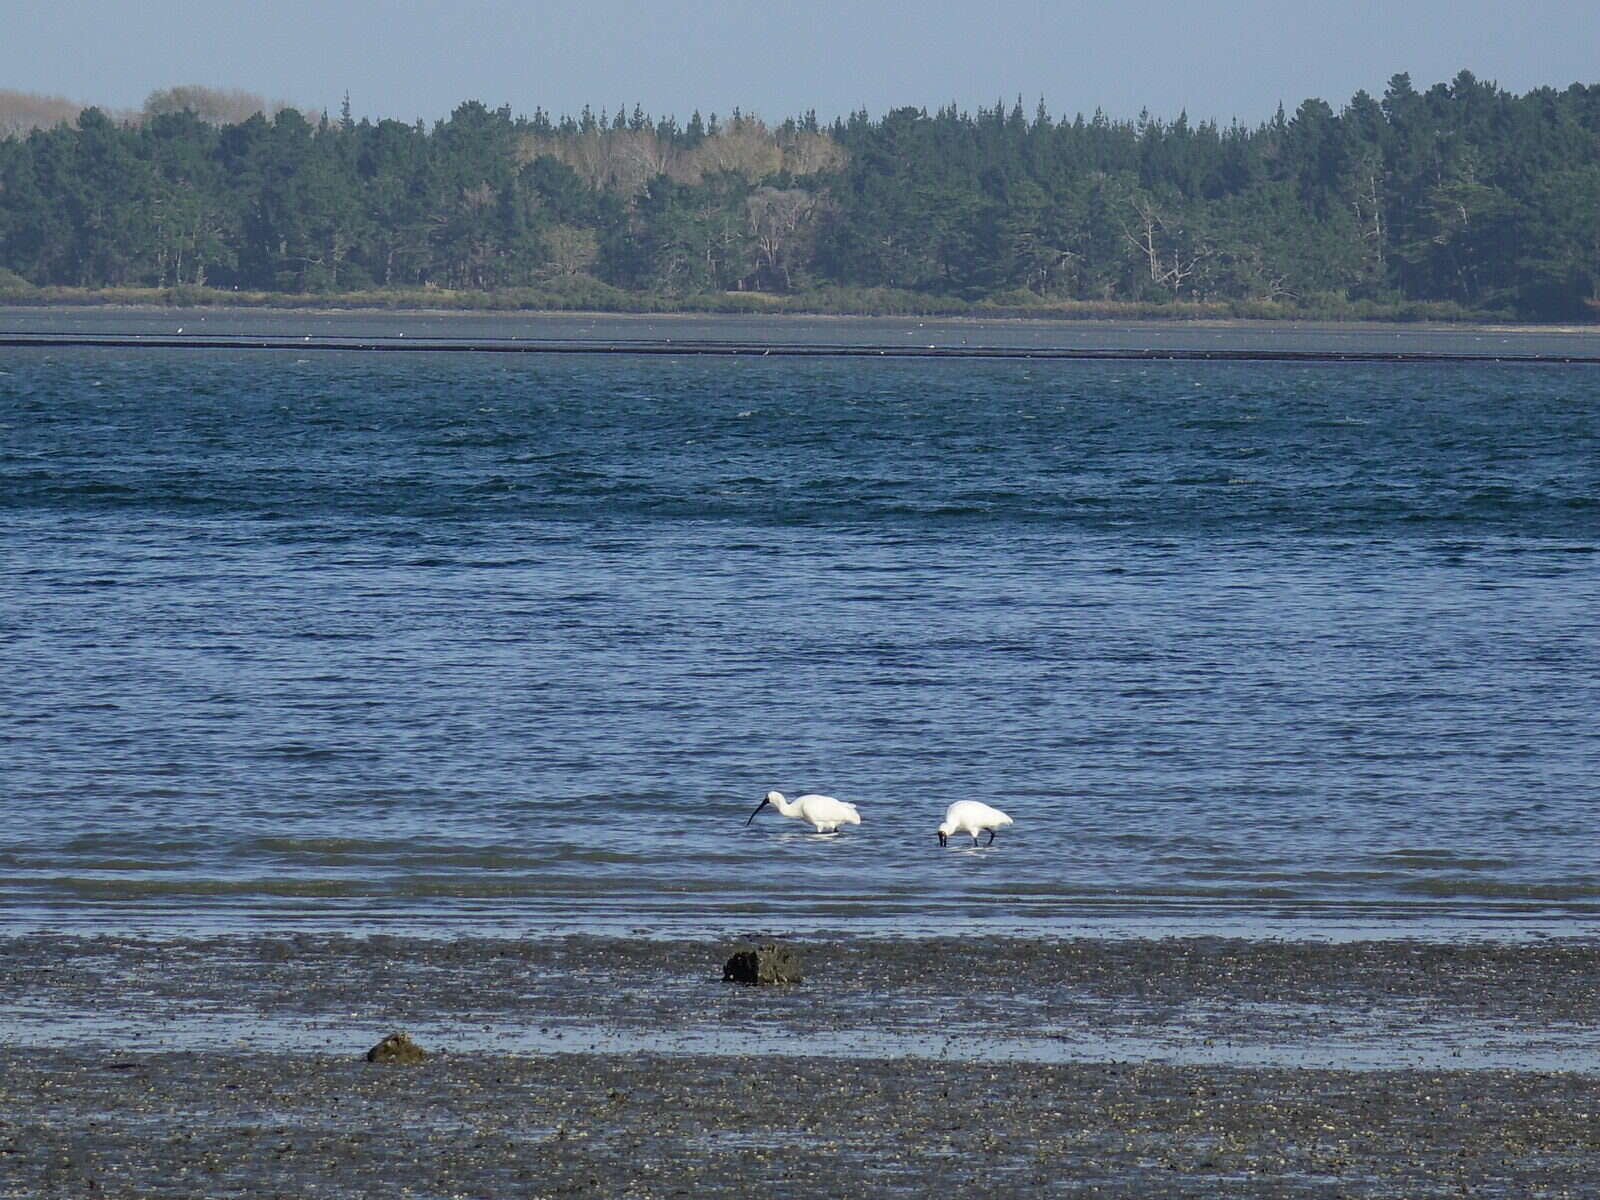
x,y
255,1124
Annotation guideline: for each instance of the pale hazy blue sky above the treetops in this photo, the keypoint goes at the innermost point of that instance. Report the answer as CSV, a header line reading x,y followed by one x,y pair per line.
x,y
1218,60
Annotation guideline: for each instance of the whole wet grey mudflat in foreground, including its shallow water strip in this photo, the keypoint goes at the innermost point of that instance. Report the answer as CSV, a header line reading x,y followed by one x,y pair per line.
x,y
233,1066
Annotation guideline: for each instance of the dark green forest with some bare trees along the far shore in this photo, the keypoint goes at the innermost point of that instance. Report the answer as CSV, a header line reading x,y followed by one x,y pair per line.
x,y
1465,198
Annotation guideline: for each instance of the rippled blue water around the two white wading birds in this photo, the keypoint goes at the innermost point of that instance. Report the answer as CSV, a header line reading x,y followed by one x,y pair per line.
x,y
449,641
